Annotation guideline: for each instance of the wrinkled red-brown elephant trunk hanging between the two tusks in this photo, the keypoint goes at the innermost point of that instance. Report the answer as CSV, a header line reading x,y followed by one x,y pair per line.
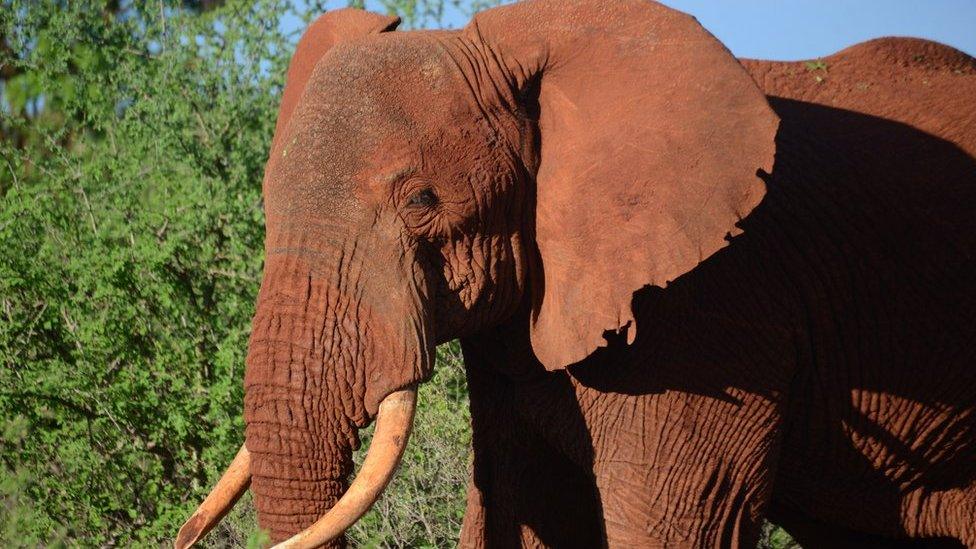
x,y
300,378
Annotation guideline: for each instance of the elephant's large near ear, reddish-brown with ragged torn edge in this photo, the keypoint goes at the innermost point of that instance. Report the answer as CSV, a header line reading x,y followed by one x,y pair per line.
x,y
651,138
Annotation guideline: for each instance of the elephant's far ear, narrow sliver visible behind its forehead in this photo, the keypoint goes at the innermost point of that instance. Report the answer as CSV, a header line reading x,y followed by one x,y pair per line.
x,y
325,32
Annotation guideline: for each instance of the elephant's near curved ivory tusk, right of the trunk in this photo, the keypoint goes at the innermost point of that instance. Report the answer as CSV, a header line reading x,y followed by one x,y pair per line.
x,y
394,420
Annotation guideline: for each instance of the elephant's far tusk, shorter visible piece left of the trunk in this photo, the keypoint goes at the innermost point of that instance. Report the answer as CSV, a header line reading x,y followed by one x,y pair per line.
x,y
229,488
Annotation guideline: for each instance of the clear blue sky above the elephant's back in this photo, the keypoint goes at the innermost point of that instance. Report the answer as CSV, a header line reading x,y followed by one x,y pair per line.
x,y
804,29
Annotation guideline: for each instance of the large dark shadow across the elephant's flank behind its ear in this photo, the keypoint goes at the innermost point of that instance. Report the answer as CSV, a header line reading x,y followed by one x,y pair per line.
x,y
848,284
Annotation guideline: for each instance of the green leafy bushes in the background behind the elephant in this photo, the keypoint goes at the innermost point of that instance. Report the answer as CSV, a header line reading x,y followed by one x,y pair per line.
x,y
132,143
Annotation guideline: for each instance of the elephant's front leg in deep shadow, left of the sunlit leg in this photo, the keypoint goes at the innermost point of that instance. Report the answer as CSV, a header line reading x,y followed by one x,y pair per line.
x,y
532,466
